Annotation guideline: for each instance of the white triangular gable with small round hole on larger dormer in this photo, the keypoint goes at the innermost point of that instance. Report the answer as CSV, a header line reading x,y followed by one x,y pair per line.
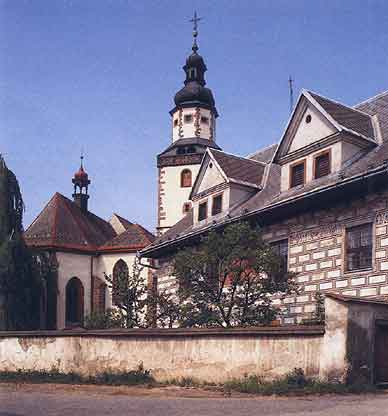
x,y
307,133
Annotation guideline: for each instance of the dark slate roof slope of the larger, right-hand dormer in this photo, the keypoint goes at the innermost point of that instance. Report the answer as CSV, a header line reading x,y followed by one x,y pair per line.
x,y
347,117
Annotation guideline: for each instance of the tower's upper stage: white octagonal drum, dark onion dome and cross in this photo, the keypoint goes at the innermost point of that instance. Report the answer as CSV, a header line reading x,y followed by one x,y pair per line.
x,y
195,111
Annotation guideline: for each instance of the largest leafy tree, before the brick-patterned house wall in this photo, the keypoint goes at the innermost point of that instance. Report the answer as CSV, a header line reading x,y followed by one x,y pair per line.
x,y
229,278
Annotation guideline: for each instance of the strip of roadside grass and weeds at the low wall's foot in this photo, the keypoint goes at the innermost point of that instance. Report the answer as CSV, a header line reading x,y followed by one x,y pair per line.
x,y
293,384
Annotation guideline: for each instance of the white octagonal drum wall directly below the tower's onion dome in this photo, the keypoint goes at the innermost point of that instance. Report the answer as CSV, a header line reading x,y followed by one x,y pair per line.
x,y
189,128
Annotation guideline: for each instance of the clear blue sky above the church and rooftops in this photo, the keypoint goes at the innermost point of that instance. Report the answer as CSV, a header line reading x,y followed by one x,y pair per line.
x,y
101,75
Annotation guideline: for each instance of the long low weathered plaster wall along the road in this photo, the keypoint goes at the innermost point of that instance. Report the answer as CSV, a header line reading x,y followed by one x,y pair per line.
x,y
207,355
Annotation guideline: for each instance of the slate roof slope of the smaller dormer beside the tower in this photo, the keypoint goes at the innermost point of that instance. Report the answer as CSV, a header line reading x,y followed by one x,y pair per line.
x,y
240,169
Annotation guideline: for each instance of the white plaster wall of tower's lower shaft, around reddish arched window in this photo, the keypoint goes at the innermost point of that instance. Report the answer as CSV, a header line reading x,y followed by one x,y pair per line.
x,y
174,196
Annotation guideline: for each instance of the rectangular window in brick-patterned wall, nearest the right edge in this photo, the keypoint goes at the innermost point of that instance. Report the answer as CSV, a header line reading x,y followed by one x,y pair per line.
x,y
359,247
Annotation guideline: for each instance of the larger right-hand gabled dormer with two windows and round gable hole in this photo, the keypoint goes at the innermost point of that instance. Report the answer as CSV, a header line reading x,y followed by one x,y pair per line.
x,y
320,137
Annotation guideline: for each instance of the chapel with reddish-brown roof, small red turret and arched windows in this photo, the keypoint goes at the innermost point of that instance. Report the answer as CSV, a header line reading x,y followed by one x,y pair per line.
x,y
84,248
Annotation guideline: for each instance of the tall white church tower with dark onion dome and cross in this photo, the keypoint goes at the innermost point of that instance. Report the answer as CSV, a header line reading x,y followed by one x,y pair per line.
x,y
193,128
